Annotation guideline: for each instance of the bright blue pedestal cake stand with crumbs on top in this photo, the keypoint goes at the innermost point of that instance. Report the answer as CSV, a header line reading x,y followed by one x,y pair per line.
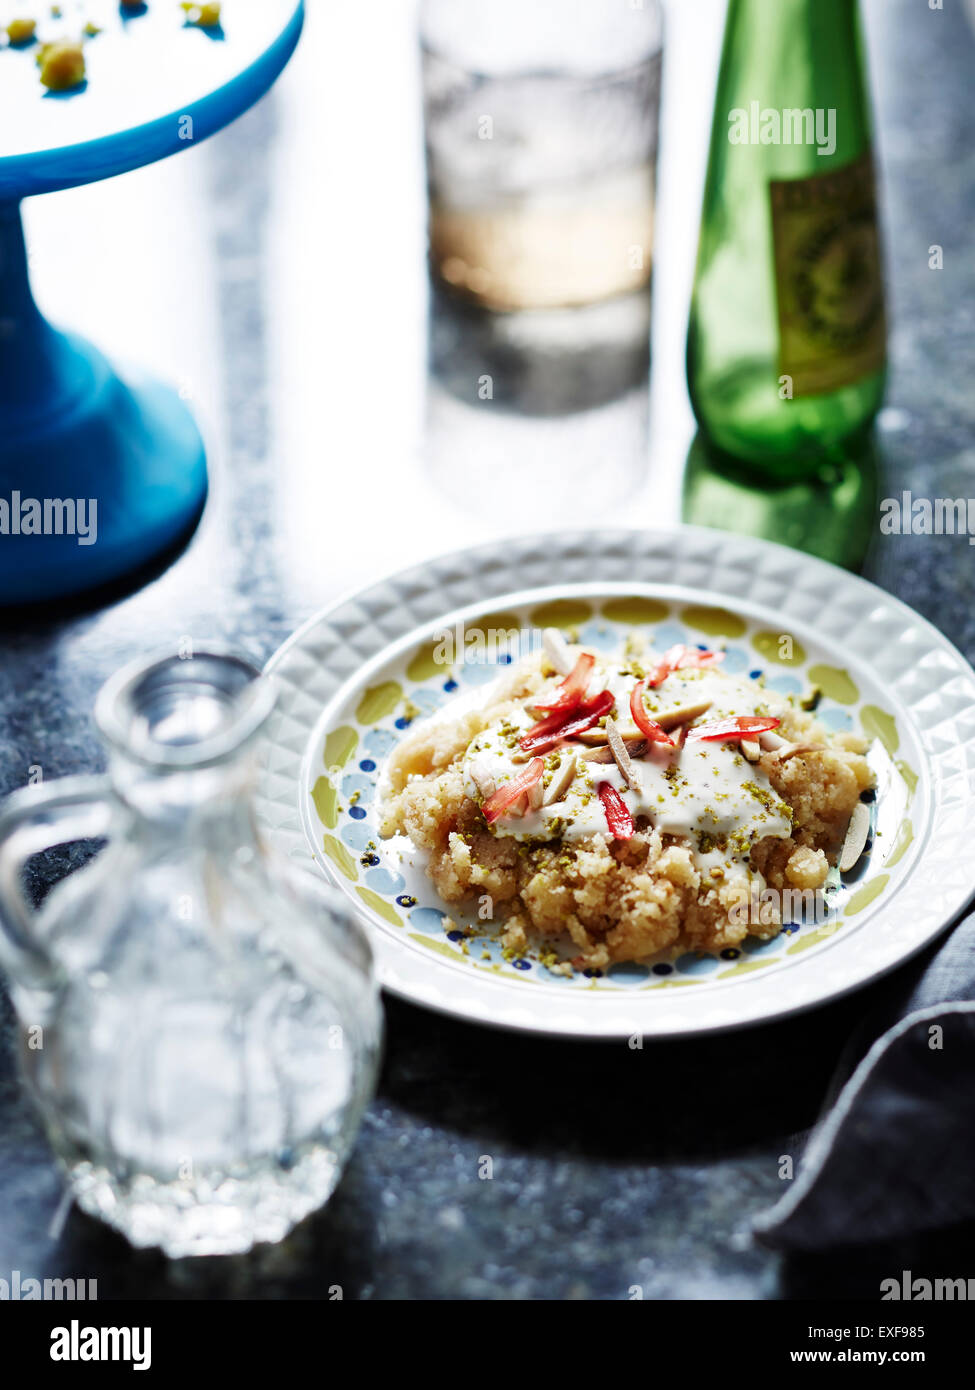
x,y
72,429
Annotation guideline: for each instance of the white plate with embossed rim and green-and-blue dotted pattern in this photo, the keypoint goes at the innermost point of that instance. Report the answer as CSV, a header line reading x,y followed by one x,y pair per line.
x,y
346,676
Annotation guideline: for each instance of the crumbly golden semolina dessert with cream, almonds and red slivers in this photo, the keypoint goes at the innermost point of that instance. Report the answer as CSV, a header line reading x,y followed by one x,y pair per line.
x,y
617,810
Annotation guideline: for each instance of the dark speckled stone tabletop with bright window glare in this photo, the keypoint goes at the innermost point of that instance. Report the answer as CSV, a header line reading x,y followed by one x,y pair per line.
x,y
613,1170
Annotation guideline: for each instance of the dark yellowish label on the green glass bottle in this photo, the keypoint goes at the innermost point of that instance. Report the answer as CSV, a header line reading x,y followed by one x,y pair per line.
x,y
828,277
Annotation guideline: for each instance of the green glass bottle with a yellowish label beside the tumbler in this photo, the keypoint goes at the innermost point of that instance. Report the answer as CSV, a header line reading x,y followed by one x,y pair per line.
x,y
787,347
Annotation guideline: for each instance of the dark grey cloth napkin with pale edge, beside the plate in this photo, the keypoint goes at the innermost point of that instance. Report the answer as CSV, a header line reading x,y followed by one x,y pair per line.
x,y
894,1154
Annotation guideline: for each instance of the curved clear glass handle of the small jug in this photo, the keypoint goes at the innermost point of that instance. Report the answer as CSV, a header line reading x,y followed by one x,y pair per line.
x,y
33,821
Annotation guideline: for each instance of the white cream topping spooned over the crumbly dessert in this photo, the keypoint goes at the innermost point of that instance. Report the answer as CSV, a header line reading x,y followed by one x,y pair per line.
x,y
707,792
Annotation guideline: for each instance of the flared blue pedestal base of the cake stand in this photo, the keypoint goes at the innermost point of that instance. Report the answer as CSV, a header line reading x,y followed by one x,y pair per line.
x,y
98,475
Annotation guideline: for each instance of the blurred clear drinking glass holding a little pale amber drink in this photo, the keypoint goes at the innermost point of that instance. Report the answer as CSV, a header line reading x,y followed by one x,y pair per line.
x,y
542,145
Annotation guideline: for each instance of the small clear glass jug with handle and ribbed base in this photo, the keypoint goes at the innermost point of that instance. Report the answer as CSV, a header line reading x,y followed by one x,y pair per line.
x,y
201,1024
